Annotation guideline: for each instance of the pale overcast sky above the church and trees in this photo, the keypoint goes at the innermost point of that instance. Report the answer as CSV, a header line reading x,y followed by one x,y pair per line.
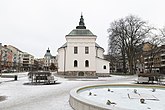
x,y
34,25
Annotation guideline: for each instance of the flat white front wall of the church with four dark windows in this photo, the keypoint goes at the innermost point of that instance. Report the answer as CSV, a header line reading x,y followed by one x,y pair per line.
x,y
81,57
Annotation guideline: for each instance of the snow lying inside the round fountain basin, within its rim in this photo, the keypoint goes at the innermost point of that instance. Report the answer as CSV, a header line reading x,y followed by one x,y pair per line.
x,y
124,97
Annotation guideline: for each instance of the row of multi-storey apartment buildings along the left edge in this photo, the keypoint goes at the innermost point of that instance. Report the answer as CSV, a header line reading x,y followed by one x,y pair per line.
x,y
11,58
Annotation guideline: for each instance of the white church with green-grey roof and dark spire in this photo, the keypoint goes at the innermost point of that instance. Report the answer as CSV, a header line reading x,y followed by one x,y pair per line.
x,y
81,55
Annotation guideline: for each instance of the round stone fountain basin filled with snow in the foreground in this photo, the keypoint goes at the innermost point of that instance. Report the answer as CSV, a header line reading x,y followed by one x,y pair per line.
x,y
95,97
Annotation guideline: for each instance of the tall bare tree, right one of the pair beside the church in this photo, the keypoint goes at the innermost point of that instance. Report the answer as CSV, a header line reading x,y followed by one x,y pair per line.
x,y
136,31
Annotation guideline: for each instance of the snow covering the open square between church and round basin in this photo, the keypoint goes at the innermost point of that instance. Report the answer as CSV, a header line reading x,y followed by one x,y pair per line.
x,y
21,96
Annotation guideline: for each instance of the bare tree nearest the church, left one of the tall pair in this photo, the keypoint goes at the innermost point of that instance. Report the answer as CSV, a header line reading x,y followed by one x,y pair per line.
x,y
116,45
